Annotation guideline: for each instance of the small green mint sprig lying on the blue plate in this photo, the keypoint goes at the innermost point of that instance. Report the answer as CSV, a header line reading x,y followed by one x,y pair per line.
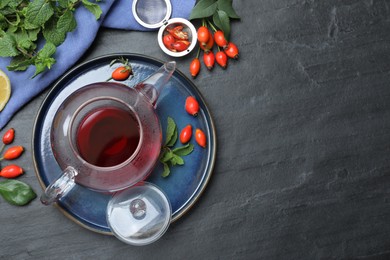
x,y
171,156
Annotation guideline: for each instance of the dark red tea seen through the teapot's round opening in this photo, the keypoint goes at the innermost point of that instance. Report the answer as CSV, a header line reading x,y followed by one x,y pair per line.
x,y
108,136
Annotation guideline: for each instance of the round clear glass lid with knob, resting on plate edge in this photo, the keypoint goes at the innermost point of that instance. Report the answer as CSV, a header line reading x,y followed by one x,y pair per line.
x,y
139,215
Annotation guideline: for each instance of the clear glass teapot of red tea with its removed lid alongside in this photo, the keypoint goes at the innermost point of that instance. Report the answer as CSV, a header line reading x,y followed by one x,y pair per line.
x,y
107,137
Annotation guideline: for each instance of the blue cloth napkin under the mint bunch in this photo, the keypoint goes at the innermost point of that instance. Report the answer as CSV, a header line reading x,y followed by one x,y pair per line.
x,y
116,14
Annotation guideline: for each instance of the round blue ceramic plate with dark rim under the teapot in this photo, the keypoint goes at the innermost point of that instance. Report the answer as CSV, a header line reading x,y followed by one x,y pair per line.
x,y
185,183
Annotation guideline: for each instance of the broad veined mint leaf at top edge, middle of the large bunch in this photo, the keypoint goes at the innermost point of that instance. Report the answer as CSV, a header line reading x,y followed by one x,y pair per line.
x,y
38,13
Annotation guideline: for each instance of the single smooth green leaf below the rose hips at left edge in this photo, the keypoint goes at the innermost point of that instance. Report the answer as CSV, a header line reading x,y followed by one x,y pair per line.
x,y
16,192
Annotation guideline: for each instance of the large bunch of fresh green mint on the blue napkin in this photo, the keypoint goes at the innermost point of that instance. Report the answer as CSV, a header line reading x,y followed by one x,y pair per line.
x,y
24,23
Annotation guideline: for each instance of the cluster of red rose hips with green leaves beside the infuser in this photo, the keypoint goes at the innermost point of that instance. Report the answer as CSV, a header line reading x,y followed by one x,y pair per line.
x,y
215,30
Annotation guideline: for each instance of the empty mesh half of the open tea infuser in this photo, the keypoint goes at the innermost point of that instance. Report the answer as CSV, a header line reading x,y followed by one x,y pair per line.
x,y
152,13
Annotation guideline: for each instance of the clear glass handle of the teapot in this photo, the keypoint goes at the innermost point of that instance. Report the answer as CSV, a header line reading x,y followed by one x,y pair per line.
x,y
60,187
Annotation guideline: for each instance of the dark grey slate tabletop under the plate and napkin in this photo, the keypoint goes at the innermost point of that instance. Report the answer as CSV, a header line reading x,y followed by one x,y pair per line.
x,y
303,131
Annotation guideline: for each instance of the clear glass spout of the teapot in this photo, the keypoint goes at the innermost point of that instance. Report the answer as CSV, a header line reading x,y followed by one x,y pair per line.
x,y
154,84
